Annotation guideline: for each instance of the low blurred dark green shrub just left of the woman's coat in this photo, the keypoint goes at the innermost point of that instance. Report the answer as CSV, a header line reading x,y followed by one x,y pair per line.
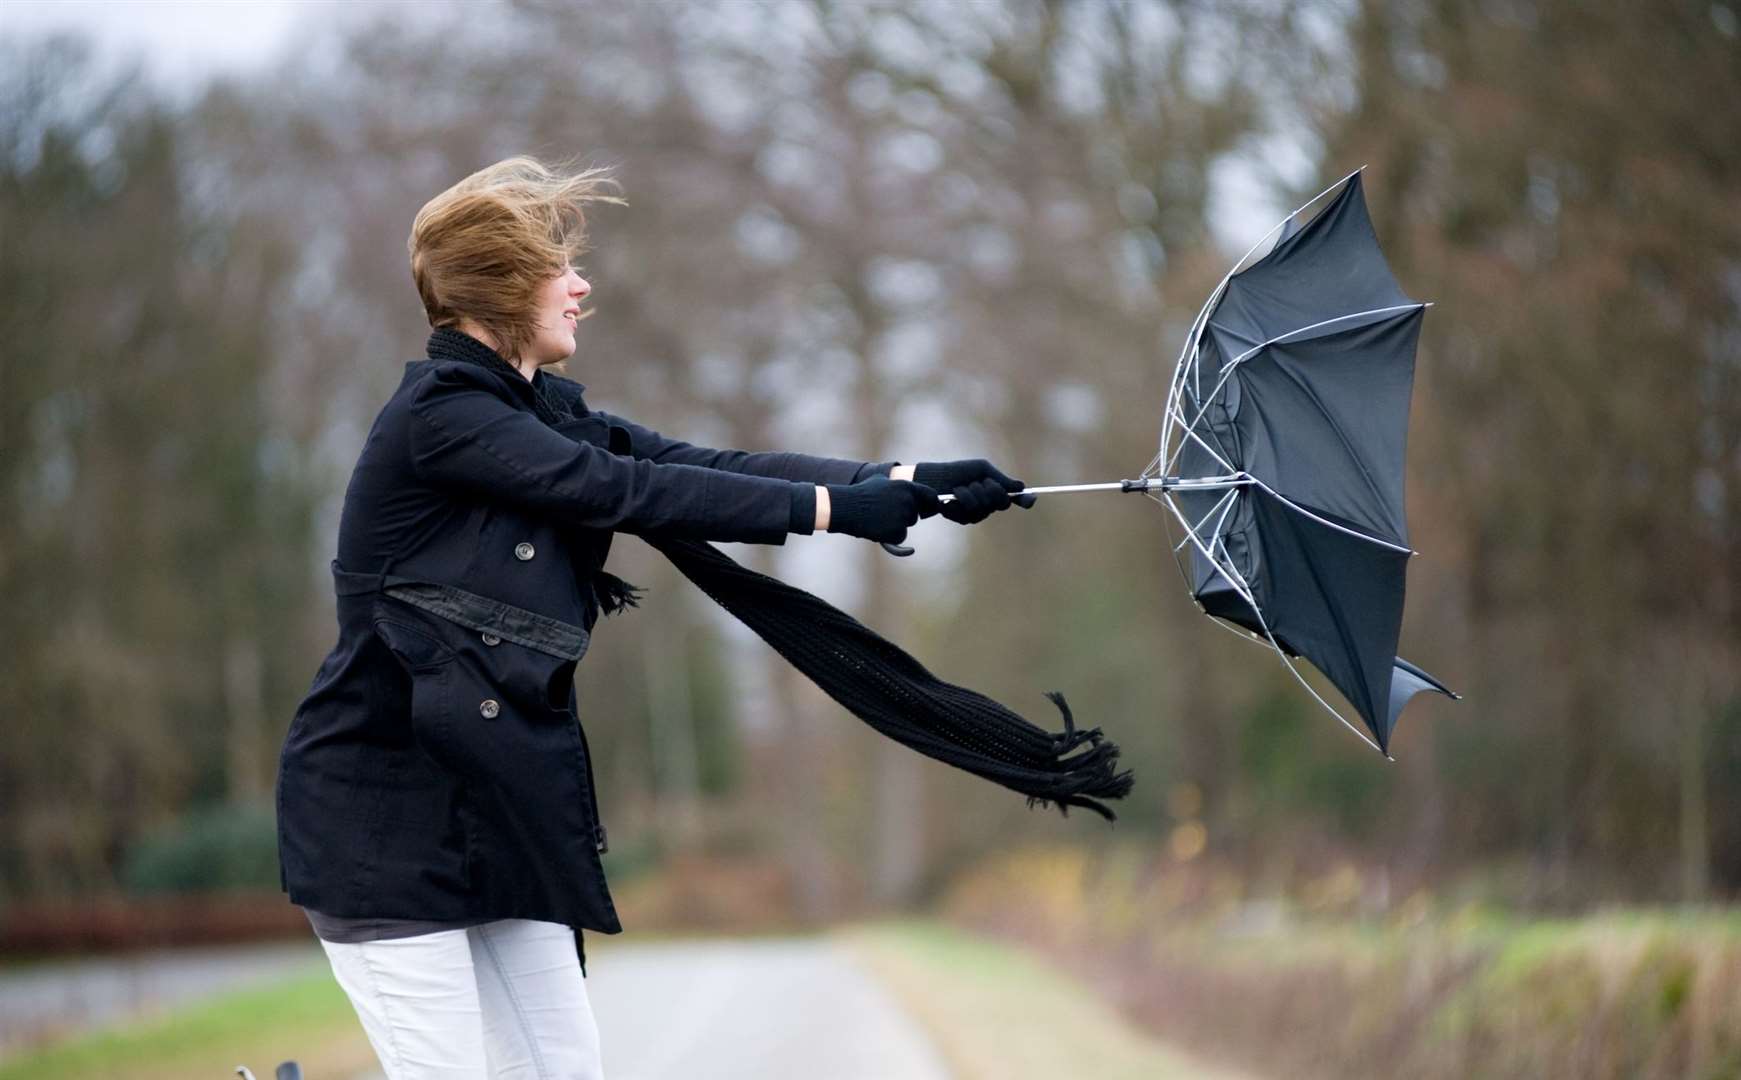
x,y
213,849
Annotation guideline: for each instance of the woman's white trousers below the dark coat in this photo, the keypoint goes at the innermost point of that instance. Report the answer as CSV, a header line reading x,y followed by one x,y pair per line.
x,y
502,1001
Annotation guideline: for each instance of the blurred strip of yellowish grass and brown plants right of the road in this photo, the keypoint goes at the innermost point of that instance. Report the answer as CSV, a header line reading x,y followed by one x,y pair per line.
x,y
1284,990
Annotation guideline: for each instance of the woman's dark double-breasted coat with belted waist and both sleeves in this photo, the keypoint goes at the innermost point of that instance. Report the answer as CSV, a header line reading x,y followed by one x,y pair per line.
x,y
440,767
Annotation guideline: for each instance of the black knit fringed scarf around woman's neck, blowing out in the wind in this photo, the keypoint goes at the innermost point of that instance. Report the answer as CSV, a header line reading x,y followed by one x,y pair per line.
x,y
868,675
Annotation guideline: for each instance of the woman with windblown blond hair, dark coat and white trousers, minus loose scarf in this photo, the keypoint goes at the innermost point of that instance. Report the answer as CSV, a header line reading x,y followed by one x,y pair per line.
x,y
438,818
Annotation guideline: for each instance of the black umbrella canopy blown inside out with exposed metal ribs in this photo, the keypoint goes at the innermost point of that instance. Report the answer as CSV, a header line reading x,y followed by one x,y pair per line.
x,y
1287,435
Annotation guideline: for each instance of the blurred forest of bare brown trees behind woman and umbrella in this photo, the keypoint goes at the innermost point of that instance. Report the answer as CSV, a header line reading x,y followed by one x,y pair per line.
x,y
910,233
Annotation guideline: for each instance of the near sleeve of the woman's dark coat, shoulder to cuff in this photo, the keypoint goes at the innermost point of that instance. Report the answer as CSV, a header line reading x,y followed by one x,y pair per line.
x,y
466,438
